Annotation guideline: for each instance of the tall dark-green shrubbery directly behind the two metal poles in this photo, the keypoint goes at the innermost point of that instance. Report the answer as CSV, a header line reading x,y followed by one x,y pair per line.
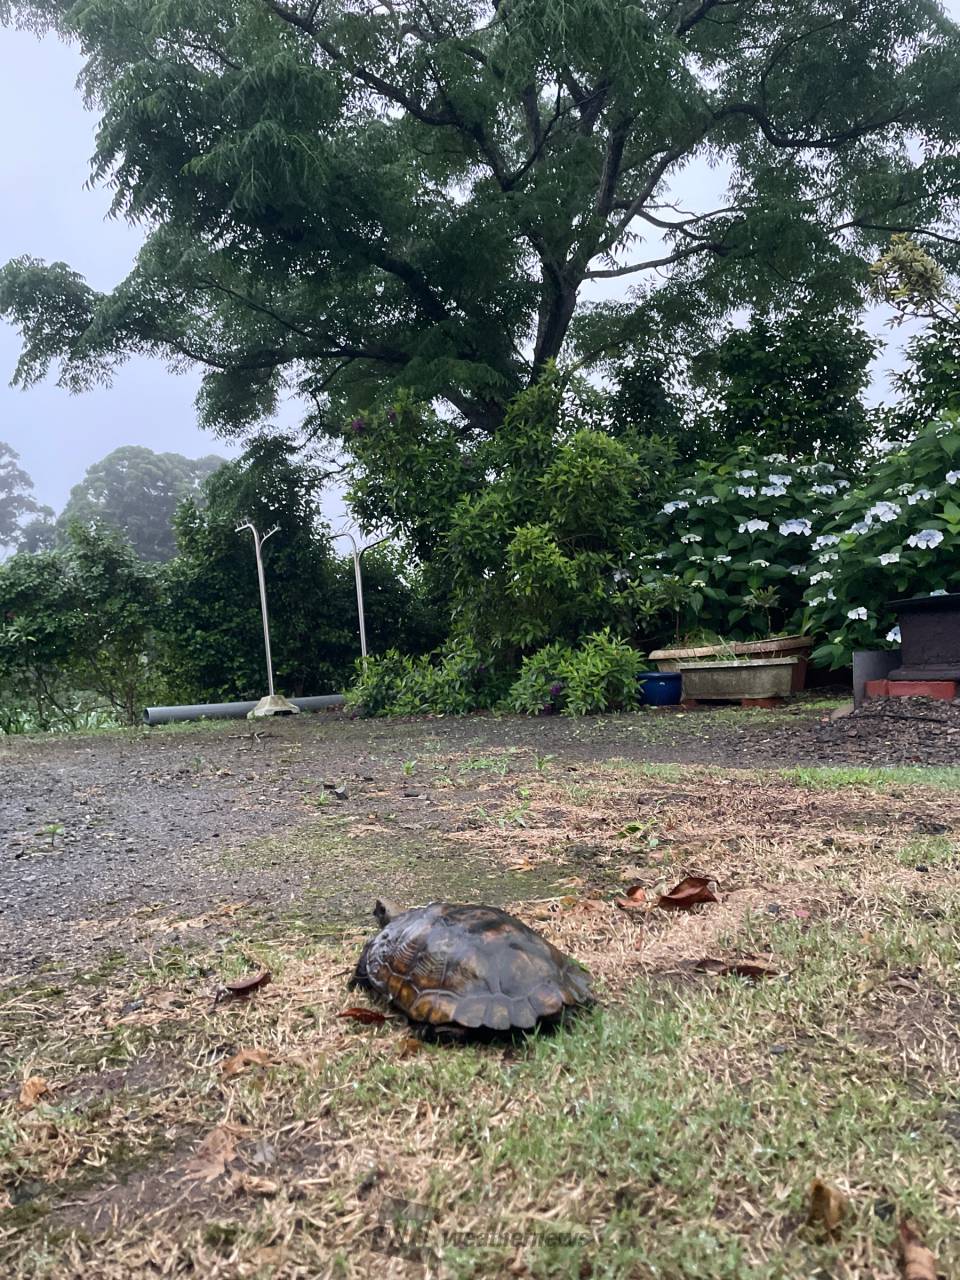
x,y
213,646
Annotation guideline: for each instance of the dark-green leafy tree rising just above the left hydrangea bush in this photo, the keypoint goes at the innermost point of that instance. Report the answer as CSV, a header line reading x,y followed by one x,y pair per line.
x,y
789,385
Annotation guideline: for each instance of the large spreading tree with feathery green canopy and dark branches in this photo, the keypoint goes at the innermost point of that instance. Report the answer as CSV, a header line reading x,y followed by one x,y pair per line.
x,y
355,196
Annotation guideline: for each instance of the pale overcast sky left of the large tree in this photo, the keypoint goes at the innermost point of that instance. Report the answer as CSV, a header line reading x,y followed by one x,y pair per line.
x,y
48,213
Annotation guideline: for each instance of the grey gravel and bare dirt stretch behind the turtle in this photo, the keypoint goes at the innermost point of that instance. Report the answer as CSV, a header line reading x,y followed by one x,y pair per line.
x,y
103,833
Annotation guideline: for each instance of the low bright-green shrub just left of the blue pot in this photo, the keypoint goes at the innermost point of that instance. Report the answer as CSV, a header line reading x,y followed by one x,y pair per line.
x,y
601,675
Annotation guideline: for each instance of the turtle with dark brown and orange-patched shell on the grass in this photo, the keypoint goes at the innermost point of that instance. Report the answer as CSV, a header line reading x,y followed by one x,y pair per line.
x,y
450,967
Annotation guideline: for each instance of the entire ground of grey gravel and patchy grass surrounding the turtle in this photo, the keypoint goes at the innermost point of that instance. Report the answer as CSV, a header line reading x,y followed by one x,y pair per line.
x,y
149,1130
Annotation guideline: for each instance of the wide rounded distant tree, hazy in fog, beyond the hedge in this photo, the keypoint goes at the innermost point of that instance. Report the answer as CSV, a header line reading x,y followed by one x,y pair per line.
x,y
136,492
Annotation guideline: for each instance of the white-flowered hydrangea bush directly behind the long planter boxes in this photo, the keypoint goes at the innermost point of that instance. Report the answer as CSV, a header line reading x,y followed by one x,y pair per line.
x,y
742,540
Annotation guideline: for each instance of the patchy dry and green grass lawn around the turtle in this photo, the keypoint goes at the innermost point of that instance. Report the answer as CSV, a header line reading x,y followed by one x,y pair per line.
x,y
673,1132
